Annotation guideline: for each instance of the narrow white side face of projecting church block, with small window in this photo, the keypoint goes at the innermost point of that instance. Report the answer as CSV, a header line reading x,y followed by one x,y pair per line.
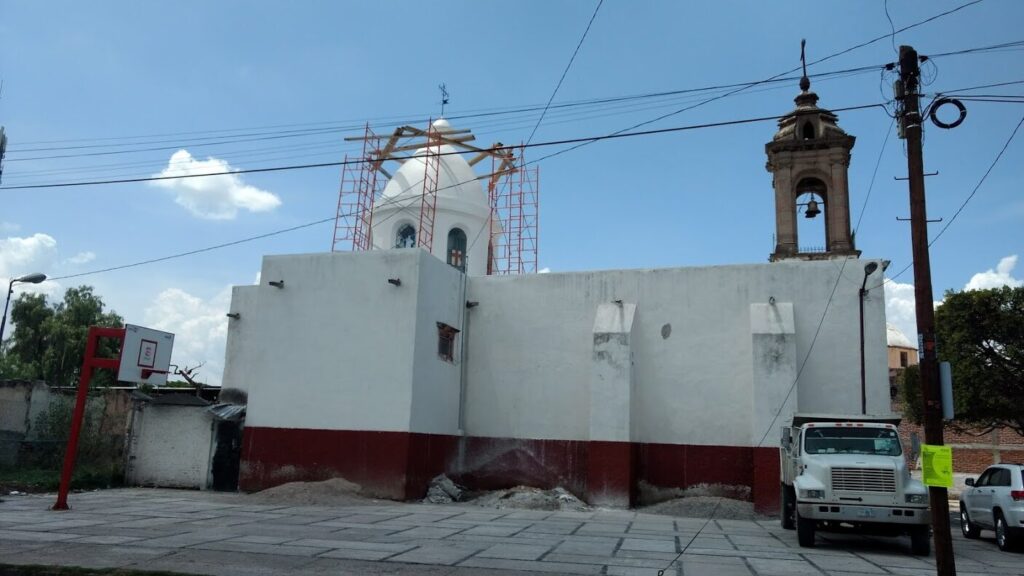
x,y
436,382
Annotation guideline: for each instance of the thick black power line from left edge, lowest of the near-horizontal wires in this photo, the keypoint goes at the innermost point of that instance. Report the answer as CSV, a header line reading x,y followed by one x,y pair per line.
x,y
580,141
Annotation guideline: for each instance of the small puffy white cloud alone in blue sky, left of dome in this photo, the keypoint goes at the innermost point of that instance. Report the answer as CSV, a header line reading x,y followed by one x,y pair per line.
x,y
218,198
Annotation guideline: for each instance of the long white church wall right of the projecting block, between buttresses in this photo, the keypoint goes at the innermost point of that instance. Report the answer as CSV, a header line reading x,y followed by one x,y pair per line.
x,y
531,347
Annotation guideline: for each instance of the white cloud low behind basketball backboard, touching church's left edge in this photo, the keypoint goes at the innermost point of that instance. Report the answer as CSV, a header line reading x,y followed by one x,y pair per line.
x,y
200,330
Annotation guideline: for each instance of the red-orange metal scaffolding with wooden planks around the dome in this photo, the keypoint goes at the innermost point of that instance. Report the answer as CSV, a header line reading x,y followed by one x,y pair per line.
x,y
514,192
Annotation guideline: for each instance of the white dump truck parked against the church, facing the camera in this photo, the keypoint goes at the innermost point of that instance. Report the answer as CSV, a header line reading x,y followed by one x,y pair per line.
x,y
849,473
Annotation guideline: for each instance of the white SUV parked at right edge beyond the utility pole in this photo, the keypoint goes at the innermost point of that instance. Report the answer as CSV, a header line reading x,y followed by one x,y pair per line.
x,y
996,503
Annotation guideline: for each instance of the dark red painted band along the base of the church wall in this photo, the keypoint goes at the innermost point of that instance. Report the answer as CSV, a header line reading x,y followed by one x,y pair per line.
x,y
400,466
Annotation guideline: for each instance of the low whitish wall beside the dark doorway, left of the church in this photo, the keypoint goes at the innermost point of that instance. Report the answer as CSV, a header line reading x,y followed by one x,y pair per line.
x,y
172,447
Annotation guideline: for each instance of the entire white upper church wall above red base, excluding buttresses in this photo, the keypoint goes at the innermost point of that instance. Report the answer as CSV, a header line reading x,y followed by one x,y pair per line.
x,y
342,349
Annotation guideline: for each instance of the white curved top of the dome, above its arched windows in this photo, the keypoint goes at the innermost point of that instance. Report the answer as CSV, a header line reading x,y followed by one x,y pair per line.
x,y
456,179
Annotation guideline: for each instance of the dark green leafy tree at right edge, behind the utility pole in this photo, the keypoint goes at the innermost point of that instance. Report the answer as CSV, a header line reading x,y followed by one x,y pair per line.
x,y
982,335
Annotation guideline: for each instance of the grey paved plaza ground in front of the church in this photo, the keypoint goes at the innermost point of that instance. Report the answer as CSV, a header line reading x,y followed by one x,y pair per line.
x,y
229,534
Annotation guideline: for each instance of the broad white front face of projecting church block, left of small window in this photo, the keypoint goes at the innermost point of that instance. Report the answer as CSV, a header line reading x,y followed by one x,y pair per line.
x,y
335,346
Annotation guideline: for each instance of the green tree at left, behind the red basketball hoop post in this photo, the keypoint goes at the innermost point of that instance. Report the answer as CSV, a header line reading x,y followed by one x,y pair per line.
x,y
49,343
